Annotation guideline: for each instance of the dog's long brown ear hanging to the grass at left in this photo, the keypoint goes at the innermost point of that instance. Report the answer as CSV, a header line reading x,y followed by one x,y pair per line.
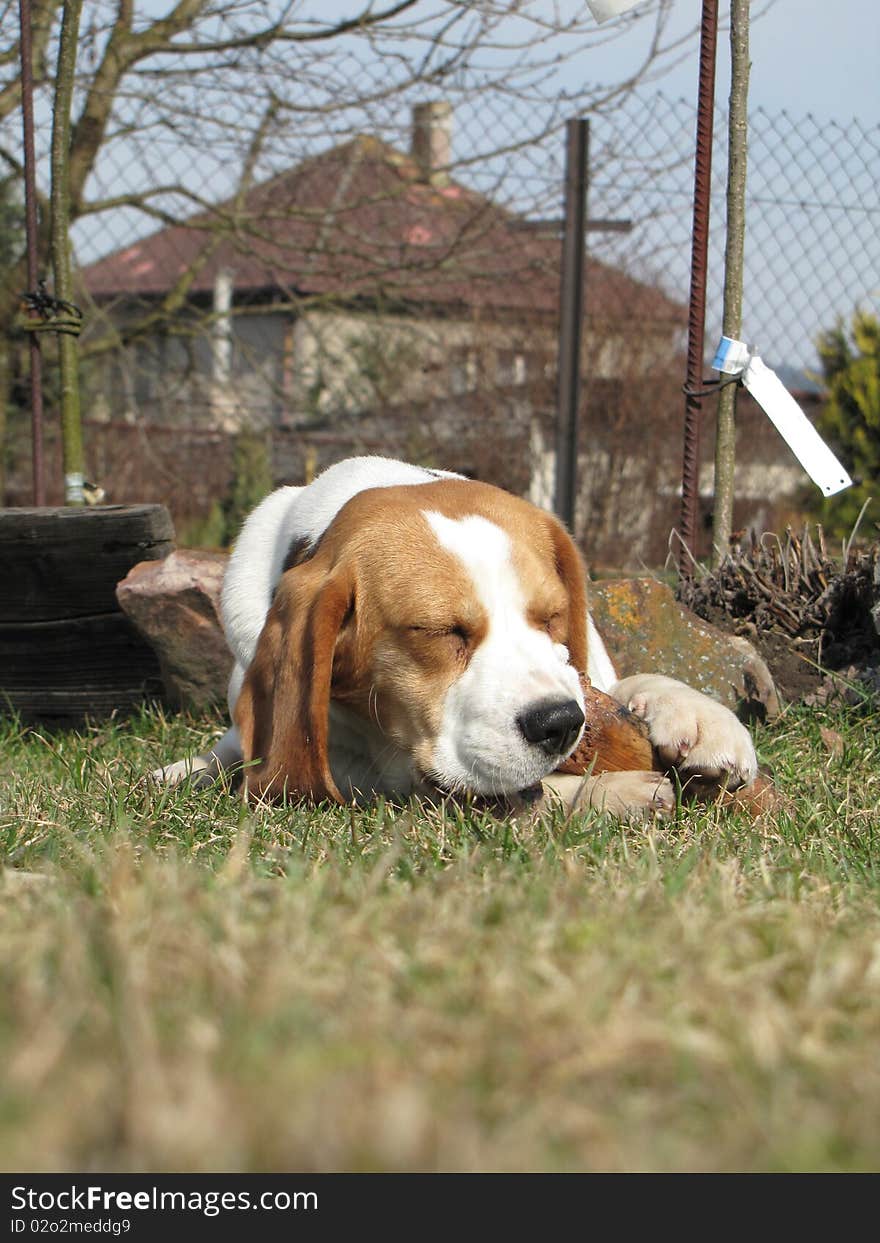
x,y
284,707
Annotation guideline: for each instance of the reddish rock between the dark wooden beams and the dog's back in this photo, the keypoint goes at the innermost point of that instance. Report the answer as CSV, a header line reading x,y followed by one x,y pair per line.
x,y
176,606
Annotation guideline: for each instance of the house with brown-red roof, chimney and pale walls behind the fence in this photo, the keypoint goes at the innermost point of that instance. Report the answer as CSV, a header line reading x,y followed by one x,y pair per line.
x,y
362,279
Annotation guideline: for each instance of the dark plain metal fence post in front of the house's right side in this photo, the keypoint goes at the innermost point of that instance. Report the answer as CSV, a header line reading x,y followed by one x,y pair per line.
x,y
571,316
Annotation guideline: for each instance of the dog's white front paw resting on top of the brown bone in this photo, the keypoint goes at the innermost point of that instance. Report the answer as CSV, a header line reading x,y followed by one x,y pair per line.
x,y
692,733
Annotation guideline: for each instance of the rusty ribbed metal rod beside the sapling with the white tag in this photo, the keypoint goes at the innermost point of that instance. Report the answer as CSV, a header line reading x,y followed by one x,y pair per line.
x,y
697,315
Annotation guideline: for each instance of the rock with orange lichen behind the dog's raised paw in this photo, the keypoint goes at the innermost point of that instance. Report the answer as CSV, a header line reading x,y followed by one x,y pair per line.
x,y
647,631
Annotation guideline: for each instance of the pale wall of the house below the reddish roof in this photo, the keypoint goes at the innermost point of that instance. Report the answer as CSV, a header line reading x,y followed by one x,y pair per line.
x,y
272,369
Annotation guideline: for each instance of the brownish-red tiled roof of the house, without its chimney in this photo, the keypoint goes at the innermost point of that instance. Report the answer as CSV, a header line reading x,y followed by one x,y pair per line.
x,y
360,222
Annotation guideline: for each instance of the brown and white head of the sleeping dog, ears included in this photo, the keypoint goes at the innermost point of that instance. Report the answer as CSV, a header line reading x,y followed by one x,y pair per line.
x,y
452,616
